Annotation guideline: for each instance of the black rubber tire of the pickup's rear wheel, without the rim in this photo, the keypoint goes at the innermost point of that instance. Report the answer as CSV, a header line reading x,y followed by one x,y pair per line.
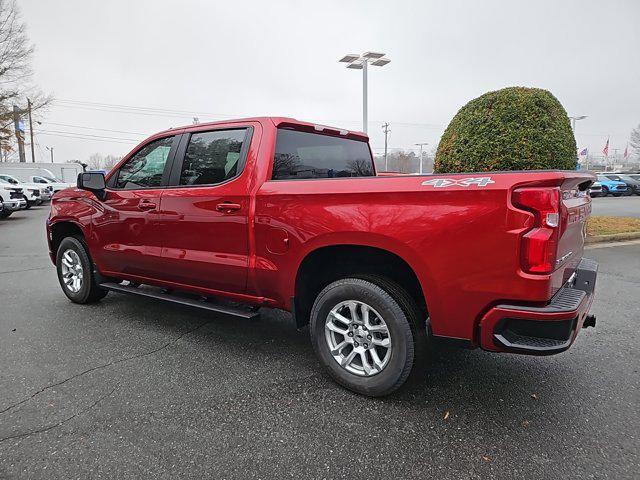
x,y
400,315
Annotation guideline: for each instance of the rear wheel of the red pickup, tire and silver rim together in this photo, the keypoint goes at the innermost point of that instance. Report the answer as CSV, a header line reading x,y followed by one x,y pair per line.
x,y
363,336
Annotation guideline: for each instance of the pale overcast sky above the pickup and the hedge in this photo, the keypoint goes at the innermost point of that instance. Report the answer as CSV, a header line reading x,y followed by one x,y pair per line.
x,y
226,59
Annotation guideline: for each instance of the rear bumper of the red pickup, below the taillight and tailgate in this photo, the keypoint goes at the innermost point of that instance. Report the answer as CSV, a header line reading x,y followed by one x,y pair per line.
x,y
542,330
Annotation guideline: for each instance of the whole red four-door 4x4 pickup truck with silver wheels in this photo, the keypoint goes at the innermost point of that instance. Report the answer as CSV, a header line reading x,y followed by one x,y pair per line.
x,y
274,212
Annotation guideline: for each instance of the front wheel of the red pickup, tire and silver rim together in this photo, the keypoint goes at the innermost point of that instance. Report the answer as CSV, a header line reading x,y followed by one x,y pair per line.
x,y
75,272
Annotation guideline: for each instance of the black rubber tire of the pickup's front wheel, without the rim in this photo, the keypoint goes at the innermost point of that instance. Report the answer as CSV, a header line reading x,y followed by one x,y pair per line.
x,y
89,291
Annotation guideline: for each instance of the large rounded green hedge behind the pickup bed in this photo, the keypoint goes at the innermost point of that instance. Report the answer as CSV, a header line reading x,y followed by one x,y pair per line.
x,y
515,128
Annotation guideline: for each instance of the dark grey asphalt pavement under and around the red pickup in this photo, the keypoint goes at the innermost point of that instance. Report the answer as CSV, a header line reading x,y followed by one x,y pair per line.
x,y
135,388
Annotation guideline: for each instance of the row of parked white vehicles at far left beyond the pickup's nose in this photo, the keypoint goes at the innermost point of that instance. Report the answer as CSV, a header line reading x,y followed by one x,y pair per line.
x,y
18,195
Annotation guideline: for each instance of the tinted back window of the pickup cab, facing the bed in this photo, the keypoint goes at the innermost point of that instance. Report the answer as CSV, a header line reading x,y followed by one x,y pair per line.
x,y
303,155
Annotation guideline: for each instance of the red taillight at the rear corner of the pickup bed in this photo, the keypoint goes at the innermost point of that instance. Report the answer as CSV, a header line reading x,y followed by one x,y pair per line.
x,y
539,246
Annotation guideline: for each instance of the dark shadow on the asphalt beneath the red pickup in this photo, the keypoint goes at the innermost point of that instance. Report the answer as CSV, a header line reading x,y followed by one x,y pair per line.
x,y
452,380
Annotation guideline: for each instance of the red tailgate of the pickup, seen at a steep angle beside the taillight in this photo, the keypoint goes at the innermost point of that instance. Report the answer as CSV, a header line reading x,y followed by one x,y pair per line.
x,y
575,208
